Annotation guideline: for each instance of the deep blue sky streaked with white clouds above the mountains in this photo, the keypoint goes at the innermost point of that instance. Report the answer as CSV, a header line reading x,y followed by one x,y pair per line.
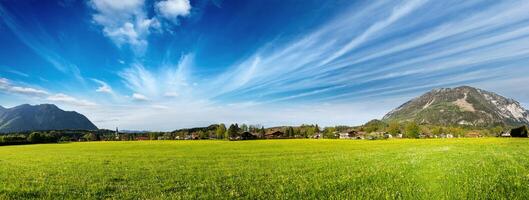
x,y
168,64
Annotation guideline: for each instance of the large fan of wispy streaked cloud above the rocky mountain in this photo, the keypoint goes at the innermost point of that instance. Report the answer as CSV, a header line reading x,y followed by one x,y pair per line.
x,y
329,63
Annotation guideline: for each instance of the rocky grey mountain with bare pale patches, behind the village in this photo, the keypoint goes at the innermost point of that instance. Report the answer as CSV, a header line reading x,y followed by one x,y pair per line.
x,y
463,106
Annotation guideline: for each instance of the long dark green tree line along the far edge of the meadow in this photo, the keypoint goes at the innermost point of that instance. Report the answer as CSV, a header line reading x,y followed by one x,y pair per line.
x,y
245,132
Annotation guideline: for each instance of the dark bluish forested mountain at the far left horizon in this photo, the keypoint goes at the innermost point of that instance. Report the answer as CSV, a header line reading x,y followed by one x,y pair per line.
x,y
41,117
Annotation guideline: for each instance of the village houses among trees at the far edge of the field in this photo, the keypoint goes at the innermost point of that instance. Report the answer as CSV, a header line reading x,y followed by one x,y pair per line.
x,y
314,132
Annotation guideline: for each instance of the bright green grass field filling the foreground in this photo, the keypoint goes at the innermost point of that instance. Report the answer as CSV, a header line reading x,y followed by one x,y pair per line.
x,y
493,168
